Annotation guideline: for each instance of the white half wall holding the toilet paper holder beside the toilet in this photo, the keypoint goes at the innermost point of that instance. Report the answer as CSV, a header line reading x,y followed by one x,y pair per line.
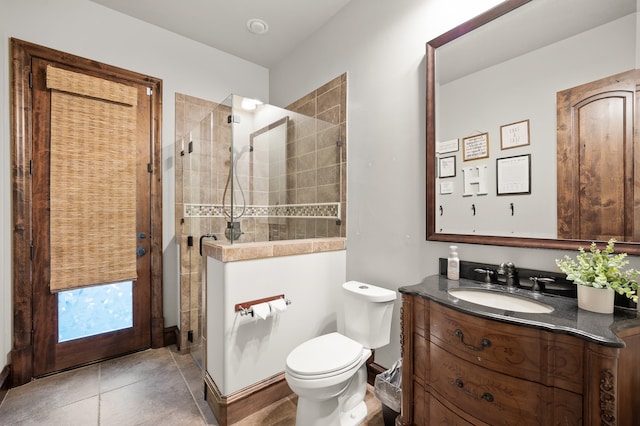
x,y
243,350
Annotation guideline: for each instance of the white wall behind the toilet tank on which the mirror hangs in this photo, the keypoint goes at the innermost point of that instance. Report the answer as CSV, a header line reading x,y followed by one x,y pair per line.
x,y
381,45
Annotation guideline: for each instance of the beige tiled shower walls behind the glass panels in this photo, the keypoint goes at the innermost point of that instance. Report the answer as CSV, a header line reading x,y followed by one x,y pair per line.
x,y
313,176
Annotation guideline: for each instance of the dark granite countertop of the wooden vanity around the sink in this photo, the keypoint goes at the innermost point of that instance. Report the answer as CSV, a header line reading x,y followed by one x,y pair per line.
x,y
566,317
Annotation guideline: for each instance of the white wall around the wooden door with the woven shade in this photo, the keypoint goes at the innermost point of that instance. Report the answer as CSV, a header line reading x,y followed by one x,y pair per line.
x,y
86,29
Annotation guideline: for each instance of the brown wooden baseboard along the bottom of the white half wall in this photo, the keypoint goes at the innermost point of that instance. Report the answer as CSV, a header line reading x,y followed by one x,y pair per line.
x,y
229,409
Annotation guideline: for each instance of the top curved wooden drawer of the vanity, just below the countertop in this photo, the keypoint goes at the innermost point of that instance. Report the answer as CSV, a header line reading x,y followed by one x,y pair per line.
x,y
501,347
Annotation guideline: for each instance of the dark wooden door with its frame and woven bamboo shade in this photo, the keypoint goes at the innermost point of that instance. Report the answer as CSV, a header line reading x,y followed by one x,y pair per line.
x,y
36,308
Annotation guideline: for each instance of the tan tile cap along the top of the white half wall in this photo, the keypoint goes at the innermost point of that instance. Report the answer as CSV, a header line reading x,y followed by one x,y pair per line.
x,y
226,252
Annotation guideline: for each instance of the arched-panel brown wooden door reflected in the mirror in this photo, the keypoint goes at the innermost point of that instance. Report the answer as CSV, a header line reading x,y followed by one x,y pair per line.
x,y
597,164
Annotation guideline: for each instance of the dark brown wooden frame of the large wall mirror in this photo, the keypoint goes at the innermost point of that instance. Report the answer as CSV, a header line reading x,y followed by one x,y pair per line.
x,y
544,243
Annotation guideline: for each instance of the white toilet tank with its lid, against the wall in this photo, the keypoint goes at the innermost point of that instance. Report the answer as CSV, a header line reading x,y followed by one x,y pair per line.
x,y
367,313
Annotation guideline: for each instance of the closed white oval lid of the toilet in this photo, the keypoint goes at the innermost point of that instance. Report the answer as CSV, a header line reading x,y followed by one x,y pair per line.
x,y
324,354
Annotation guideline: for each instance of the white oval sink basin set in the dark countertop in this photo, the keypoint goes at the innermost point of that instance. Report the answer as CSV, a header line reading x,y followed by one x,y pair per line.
x,y
504,301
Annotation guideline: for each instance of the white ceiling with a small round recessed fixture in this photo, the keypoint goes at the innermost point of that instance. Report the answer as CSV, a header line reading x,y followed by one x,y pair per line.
x,y
223,24
